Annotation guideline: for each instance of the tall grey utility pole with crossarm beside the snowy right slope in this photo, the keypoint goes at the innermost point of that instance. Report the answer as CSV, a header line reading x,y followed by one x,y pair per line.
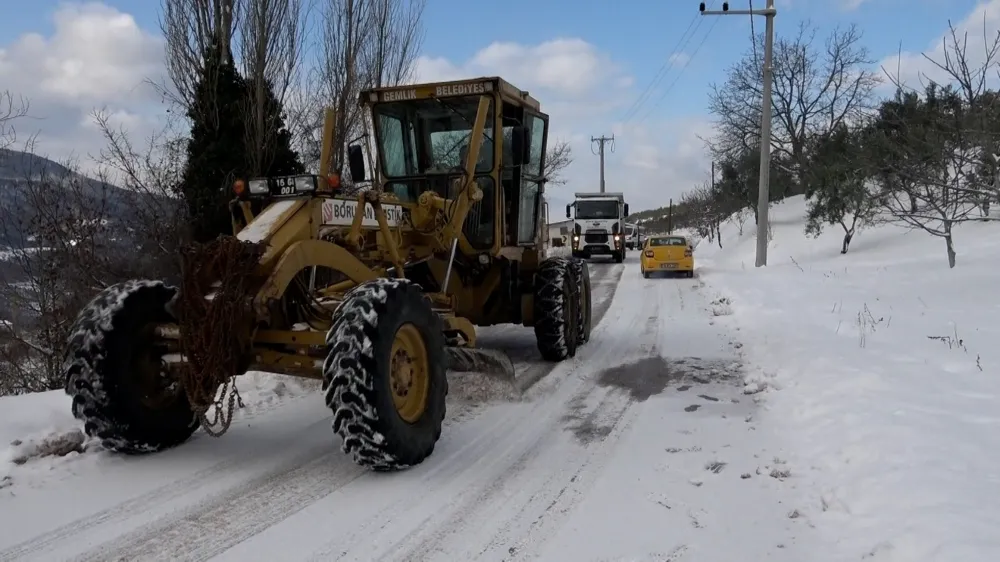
x,y
763,195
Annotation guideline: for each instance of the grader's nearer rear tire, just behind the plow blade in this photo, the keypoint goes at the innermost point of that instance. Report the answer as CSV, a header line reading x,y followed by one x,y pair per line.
x,y
555,308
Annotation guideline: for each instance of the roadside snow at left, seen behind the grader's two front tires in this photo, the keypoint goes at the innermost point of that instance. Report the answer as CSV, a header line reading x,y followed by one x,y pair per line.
x,y
38,433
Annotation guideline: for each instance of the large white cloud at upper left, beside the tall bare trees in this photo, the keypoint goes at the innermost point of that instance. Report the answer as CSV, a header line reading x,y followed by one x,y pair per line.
x,y
96,57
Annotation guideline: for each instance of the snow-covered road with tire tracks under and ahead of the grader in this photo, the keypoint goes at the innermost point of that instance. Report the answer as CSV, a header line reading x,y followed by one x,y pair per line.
x,y
642,447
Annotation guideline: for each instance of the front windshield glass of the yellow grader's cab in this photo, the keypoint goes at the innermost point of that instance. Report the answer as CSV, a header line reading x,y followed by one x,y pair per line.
x,y
417,137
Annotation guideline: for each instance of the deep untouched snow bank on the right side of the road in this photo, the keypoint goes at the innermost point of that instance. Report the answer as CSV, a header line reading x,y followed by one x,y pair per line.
x,y
885,365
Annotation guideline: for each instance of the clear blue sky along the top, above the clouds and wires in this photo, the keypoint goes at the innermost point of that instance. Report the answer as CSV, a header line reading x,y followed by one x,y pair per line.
x,y
637,33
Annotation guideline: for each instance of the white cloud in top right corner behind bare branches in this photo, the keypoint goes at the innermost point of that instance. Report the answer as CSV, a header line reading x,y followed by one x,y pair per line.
x,y
913,69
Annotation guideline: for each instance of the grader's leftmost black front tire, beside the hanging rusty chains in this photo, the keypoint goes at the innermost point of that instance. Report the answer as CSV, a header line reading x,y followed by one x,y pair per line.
x,y
105,340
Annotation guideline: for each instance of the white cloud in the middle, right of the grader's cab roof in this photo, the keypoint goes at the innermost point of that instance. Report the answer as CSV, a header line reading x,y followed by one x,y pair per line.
x,y
584,90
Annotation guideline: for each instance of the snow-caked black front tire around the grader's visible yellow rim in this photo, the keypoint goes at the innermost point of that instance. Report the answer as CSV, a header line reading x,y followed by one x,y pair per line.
x,y
356,376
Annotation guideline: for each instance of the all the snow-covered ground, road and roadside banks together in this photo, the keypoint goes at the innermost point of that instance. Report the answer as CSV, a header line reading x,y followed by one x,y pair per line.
x,y
826,408
